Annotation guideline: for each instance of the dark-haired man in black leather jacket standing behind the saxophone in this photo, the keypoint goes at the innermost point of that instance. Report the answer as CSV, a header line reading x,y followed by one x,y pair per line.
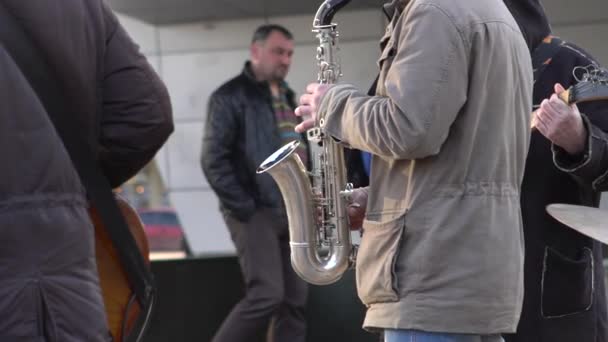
x,y
248,119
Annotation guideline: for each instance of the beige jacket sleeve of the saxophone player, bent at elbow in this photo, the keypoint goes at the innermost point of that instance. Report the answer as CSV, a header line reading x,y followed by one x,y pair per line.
x,y
425,86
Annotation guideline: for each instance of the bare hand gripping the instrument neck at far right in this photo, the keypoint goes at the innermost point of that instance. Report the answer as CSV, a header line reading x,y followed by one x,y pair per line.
x,y
561,124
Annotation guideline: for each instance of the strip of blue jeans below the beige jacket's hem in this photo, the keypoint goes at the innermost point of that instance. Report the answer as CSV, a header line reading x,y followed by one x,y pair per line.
x,y
421,336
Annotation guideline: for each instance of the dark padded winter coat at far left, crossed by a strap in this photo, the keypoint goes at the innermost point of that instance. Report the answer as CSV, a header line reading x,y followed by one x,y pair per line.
x,y
49,288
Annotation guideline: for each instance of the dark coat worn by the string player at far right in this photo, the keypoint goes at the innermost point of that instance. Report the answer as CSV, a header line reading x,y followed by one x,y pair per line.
x,y
564,298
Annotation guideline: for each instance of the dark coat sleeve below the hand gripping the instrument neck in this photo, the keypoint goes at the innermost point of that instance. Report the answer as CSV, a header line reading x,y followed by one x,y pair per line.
x,y
591,166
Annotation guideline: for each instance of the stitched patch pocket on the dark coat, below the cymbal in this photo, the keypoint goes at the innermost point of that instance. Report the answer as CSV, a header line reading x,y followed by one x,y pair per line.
x,y
567,285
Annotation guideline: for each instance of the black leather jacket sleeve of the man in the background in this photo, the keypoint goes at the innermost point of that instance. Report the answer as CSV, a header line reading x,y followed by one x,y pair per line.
x,y
219,138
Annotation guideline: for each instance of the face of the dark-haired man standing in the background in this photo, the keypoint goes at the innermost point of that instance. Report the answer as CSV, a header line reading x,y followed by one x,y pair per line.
x,y
273,56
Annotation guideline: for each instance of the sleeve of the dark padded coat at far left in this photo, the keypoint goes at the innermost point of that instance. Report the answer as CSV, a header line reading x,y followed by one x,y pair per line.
x,y
136,118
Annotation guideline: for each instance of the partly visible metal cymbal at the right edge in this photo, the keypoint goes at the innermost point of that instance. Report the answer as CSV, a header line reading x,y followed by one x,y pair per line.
x,y
589,221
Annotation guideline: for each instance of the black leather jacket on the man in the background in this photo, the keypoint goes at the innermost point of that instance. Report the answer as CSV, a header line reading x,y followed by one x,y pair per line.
x,y
240,133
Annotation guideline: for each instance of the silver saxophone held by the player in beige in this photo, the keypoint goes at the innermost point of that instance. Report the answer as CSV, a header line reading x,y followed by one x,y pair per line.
x,y
320,240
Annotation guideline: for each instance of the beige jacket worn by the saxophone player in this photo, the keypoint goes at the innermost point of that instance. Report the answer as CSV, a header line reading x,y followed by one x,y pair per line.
x,y
442,249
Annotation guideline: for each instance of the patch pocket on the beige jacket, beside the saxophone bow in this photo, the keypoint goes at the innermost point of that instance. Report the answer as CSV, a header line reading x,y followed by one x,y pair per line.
x,y
376,279
